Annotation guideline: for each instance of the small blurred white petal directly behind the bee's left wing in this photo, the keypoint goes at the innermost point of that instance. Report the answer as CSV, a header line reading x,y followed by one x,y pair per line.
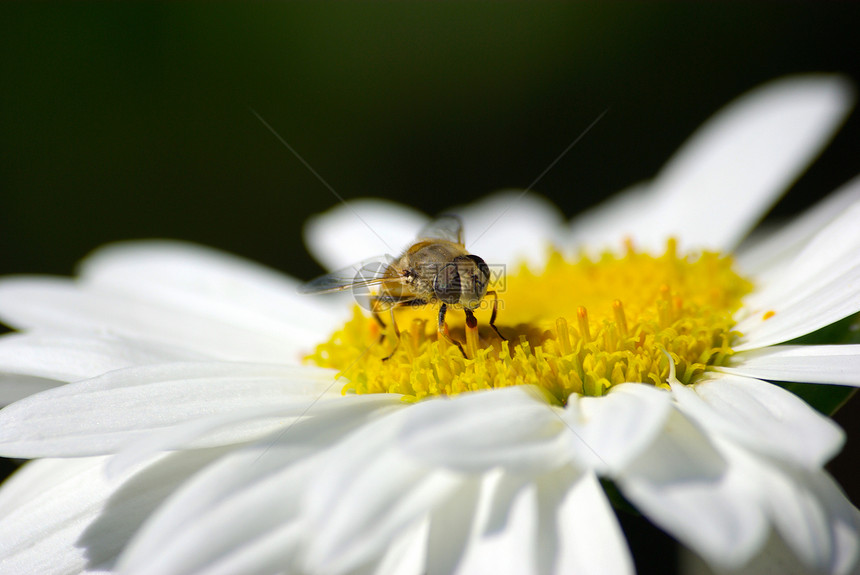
x,y
360,229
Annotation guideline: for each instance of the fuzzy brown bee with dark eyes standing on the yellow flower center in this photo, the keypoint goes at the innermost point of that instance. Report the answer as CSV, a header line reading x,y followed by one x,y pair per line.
x,y
436,268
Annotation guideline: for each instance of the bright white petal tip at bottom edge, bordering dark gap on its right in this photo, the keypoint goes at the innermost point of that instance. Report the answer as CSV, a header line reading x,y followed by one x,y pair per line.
x,y
590,539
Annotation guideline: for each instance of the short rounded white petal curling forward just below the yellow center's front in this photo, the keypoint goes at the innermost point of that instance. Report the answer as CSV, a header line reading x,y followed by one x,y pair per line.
x,y
475,432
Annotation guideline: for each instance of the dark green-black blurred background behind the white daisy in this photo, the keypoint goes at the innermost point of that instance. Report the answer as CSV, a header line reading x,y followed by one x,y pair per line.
x,y
134,120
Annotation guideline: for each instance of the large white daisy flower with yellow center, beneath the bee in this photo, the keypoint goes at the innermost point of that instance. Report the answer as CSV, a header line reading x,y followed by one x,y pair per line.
x,y
191,413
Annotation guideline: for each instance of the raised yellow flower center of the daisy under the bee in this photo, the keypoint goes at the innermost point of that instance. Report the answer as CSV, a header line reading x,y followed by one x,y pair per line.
x,y
576,327
